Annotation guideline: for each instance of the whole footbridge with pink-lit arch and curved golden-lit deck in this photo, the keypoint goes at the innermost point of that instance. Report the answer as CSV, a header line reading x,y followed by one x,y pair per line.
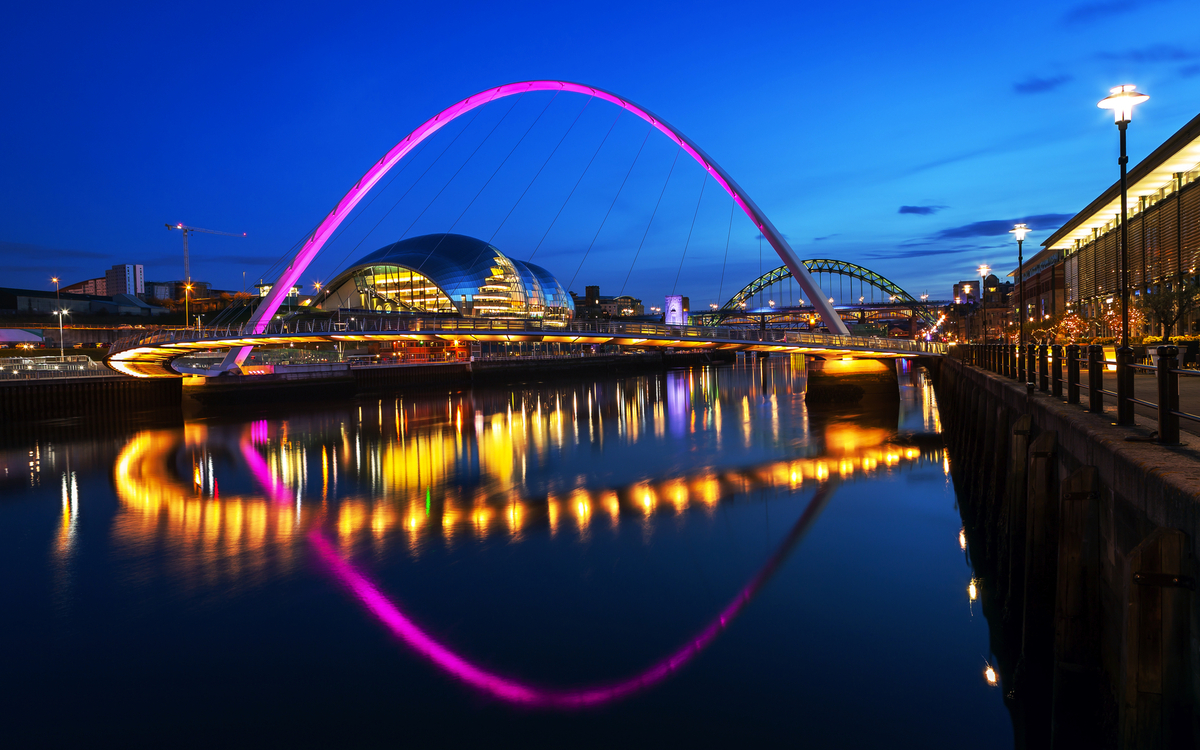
x,y
151,353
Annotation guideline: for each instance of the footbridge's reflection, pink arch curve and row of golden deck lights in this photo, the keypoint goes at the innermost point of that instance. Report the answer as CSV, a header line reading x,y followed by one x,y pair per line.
x,y
153,485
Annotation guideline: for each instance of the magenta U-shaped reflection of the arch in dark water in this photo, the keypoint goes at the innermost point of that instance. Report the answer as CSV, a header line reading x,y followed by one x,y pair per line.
x,y
508,689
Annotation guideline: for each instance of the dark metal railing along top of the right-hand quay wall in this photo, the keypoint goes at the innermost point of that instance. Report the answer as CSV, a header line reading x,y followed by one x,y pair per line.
x,y
1041,367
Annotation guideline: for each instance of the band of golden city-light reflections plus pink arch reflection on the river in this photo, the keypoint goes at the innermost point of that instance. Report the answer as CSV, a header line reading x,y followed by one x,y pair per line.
x,y
227,505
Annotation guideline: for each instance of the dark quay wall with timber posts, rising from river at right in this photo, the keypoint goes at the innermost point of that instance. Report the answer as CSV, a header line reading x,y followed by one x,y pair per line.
x,y
1084,549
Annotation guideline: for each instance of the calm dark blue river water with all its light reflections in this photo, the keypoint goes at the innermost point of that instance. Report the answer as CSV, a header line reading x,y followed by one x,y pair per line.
x,y
687,559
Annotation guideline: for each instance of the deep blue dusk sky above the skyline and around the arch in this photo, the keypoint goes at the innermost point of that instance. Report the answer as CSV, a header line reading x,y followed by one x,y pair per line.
x,y
902,137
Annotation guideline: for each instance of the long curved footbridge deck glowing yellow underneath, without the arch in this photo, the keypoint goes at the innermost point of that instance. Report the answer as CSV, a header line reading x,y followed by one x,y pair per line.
x,y
151,353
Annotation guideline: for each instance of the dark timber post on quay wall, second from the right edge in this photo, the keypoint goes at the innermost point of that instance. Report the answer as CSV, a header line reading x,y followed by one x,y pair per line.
x,y
1077,677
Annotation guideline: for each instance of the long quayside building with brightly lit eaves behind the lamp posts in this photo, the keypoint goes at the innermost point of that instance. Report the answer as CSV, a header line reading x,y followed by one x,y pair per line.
x,y
1079,268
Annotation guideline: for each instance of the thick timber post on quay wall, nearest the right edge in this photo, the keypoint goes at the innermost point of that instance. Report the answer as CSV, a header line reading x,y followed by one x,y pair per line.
x,y
1157,709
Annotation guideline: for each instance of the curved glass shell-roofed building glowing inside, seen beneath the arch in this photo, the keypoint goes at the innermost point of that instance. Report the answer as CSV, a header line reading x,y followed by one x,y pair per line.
x,y
449,275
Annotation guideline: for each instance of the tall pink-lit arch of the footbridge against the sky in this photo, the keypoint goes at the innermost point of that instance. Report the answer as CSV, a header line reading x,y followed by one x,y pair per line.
x,y
369,181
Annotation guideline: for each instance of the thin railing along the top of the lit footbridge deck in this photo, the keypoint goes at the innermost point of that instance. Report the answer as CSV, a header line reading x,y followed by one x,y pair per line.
x,y
581,329
